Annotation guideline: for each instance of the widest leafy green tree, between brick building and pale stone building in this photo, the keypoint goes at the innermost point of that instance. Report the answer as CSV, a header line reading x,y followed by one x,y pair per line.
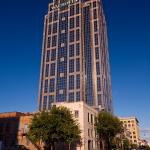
x,y
55,126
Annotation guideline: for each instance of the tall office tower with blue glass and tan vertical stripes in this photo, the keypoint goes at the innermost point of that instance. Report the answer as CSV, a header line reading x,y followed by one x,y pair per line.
x,y
75,58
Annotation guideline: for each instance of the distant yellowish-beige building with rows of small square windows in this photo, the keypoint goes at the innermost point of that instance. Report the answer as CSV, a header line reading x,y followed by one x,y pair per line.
x,y
132,125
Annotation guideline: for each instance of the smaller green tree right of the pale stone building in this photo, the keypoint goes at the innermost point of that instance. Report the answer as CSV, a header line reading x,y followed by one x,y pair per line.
x,y
107,127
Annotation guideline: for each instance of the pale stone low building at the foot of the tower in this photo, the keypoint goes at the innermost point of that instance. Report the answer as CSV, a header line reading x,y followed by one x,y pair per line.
x,y
86,118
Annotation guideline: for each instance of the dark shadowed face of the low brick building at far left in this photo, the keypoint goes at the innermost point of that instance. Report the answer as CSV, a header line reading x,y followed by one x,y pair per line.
x,y
9,124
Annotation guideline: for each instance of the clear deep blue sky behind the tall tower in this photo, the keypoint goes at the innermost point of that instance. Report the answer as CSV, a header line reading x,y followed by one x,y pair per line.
x,y
21,27
